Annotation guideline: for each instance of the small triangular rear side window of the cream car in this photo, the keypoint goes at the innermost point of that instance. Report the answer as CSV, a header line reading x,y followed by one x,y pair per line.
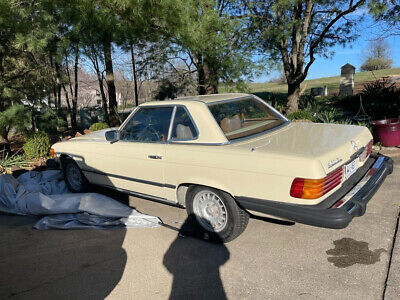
x,y
183,127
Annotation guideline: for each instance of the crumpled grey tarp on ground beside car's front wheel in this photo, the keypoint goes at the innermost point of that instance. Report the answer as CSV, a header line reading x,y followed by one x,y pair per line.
x,y
46,194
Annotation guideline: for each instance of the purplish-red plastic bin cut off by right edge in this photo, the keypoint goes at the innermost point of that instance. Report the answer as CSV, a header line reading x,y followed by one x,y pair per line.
x,y
387,132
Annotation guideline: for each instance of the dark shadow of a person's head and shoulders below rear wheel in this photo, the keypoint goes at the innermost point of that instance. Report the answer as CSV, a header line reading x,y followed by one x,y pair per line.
x,y
194,264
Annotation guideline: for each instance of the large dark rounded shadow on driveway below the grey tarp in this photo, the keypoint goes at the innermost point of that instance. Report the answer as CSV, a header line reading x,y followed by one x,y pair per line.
x,y
71,264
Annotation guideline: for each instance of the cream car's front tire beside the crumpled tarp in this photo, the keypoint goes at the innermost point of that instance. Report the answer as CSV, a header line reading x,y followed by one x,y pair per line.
x,y
73,176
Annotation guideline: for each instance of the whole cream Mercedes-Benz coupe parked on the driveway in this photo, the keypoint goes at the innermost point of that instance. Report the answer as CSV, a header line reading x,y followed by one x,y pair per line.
x,y
226,156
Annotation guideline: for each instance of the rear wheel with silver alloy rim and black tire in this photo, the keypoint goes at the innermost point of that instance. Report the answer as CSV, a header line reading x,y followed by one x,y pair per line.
x,y
203,202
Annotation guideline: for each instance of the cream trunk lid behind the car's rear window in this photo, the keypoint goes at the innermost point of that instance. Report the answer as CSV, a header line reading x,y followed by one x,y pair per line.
x,y
331,144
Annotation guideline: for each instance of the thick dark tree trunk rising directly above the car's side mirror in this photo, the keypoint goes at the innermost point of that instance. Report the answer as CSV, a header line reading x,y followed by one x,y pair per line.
x,y
112,97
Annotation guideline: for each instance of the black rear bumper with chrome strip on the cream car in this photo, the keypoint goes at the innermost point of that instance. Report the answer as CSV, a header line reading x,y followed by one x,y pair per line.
x,y
357,191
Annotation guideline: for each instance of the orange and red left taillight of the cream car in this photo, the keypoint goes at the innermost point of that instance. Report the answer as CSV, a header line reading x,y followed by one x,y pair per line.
x,y
315,188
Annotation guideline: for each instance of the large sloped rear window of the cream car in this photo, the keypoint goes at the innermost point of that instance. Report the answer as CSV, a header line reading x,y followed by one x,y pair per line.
x,y
245,117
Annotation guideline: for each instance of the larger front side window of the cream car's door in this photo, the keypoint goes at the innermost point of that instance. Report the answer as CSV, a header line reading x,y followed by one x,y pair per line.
x,y
149,124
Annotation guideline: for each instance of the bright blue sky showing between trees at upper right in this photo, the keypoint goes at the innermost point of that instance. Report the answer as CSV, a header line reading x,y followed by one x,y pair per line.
x,y
323,67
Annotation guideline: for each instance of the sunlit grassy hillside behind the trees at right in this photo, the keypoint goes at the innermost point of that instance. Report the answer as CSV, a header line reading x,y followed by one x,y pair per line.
x,y
331,82
